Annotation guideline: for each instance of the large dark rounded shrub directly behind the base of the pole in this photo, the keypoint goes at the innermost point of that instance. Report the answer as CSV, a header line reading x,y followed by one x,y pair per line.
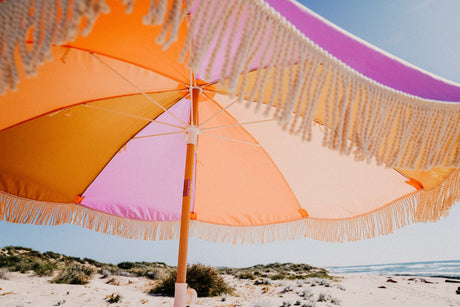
x,y
205,280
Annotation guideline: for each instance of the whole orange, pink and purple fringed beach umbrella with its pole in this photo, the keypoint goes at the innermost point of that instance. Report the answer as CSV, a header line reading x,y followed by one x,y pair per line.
x,y
284,125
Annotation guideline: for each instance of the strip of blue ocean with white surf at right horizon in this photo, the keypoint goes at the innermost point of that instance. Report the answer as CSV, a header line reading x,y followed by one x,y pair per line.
x,y
450,269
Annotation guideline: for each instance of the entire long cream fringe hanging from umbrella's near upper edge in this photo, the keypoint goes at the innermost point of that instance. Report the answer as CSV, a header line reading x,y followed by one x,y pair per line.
x,y
364,118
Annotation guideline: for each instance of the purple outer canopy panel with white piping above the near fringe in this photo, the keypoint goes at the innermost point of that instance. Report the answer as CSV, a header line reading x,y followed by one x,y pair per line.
x,y
365,58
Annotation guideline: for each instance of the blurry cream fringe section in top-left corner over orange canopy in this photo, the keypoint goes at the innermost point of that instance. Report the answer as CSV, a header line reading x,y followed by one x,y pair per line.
x,y
49,22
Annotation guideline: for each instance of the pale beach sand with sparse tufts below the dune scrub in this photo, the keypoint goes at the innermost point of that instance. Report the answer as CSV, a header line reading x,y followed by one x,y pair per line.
x,y
345,290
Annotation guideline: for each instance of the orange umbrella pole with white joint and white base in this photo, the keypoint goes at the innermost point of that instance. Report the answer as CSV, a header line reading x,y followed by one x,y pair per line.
x,y
191,137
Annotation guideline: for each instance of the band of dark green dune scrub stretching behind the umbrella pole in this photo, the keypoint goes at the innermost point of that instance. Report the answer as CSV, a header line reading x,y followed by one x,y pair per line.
x,y
205,280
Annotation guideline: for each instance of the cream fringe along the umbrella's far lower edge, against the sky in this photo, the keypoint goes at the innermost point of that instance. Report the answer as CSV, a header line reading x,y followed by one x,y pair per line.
x,y
420,206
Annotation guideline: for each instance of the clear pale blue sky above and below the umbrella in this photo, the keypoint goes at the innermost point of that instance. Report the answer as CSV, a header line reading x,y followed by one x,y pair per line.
x,y
422,32
